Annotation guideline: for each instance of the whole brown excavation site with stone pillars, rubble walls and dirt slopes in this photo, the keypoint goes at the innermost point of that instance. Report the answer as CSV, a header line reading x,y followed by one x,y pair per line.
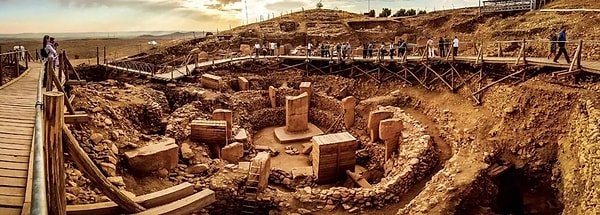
x,y
207,127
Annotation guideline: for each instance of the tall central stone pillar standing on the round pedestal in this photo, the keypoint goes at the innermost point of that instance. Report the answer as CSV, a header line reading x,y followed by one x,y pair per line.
x,y
296,113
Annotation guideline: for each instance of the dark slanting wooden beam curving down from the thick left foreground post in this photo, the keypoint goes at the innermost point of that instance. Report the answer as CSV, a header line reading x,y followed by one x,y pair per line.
x,y
84,163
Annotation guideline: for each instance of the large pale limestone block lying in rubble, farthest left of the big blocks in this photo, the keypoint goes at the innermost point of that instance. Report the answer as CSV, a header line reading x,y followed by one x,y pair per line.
x,y
147,159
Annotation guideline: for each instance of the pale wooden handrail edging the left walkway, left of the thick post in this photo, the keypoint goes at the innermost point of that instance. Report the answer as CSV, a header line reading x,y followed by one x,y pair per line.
x,y
39,202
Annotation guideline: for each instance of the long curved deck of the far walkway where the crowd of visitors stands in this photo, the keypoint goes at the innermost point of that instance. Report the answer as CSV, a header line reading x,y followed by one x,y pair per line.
x,y
586,66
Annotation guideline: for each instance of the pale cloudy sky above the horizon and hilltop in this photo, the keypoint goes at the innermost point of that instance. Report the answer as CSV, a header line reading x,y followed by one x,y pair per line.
x,y
65,16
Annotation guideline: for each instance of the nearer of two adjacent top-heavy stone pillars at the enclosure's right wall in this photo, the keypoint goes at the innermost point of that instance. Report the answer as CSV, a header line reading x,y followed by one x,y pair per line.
x,y
390,131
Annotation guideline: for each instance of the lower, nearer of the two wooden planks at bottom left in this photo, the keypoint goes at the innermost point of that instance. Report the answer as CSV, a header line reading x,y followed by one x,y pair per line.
x,y
184,206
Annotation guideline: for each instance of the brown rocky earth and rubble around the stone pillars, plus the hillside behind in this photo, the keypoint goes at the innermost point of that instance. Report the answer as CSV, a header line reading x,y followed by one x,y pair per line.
x,y
542,130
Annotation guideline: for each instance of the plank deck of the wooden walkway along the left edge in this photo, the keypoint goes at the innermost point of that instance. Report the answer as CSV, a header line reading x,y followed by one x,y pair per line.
x,y
17,119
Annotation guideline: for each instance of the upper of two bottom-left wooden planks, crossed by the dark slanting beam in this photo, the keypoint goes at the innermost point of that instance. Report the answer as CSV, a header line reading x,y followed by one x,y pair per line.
x,y
149,200
